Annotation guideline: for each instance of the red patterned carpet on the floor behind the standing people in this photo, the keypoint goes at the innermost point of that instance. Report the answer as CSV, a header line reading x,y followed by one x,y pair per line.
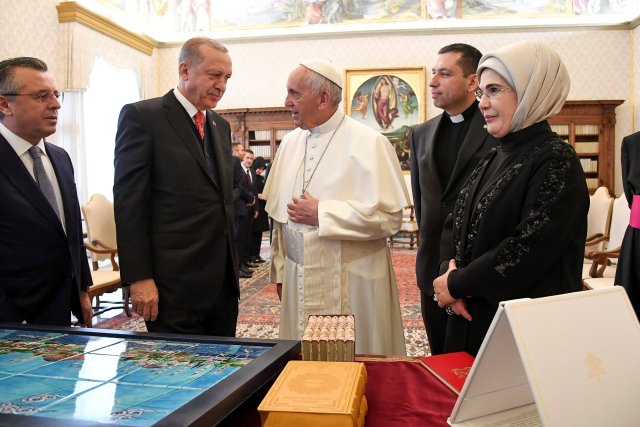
x,y
260,308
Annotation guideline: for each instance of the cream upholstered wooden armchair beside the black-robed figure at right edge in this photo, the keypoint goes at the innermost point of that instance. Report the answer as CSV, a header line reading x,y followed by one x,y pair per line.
x,y
602,271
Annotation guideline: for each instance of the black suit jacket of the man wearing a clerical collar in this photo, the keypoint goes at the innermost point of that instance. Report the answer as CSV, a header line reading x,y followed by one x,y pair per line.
x,y
432,202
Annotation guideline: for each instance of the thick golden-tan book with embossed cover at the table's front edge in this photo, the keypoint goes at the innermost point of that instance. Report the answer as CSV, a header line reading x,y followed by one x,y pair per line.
x,y
317,394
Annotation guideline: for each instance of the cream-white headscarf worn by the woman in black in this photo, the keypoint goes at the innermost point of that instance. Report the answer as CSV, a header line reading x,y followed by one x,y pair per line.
x,y
538,76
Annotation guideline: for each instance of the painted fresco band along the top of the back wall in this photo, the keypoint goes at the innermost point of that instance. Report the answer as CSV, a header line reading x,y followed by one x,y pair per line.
x,y
175,20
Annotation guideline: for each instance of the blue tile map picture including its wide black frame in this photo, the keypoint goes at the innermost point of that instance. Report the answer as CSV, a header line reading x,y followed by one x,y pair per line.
x,y
57,376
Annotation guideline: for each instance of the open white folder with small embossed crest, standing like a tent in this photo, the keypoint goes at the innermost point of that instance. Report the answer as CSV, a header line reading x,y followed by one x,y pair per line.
x,y
565,360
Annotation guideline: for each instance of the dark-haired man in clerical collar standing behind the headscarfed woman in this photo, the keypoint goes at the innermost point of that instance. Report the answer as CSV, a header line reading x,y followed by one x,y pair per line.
x,y
444,150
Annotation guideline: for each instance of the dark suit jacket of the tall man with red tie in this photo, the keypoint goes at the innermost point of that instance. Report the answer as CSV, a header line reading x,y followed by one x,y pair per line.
x,y
174,218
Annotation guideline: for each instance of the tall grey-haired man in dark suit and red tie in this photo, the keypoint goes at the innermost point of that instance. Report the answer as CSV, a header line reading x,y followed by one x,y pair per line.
x,y
173,200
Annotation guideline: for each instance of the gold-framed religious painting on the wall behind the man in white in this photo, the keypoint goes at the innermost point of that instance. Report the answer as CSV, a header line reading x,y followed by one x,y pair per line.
x,y
389,100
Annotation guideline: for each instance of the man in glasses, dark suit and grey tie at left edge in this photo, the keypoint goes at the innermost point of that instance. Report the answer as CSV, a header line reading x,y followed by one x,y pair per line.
x,y
44,271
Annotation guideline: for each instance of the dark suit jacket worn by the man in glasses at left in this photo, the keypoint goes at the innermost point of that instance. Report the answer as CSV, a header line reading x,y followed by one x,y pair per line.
x,y
40,265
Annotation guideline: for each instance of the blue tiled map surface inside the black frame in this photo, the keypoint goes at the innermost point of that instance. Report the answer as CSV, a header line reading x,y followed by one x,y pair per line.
x,y
132,382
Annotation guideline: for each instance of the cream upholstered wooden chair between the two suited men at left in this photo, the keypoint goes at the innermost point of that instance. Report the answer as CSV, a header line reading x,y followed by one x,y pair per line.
x,y
101,234
